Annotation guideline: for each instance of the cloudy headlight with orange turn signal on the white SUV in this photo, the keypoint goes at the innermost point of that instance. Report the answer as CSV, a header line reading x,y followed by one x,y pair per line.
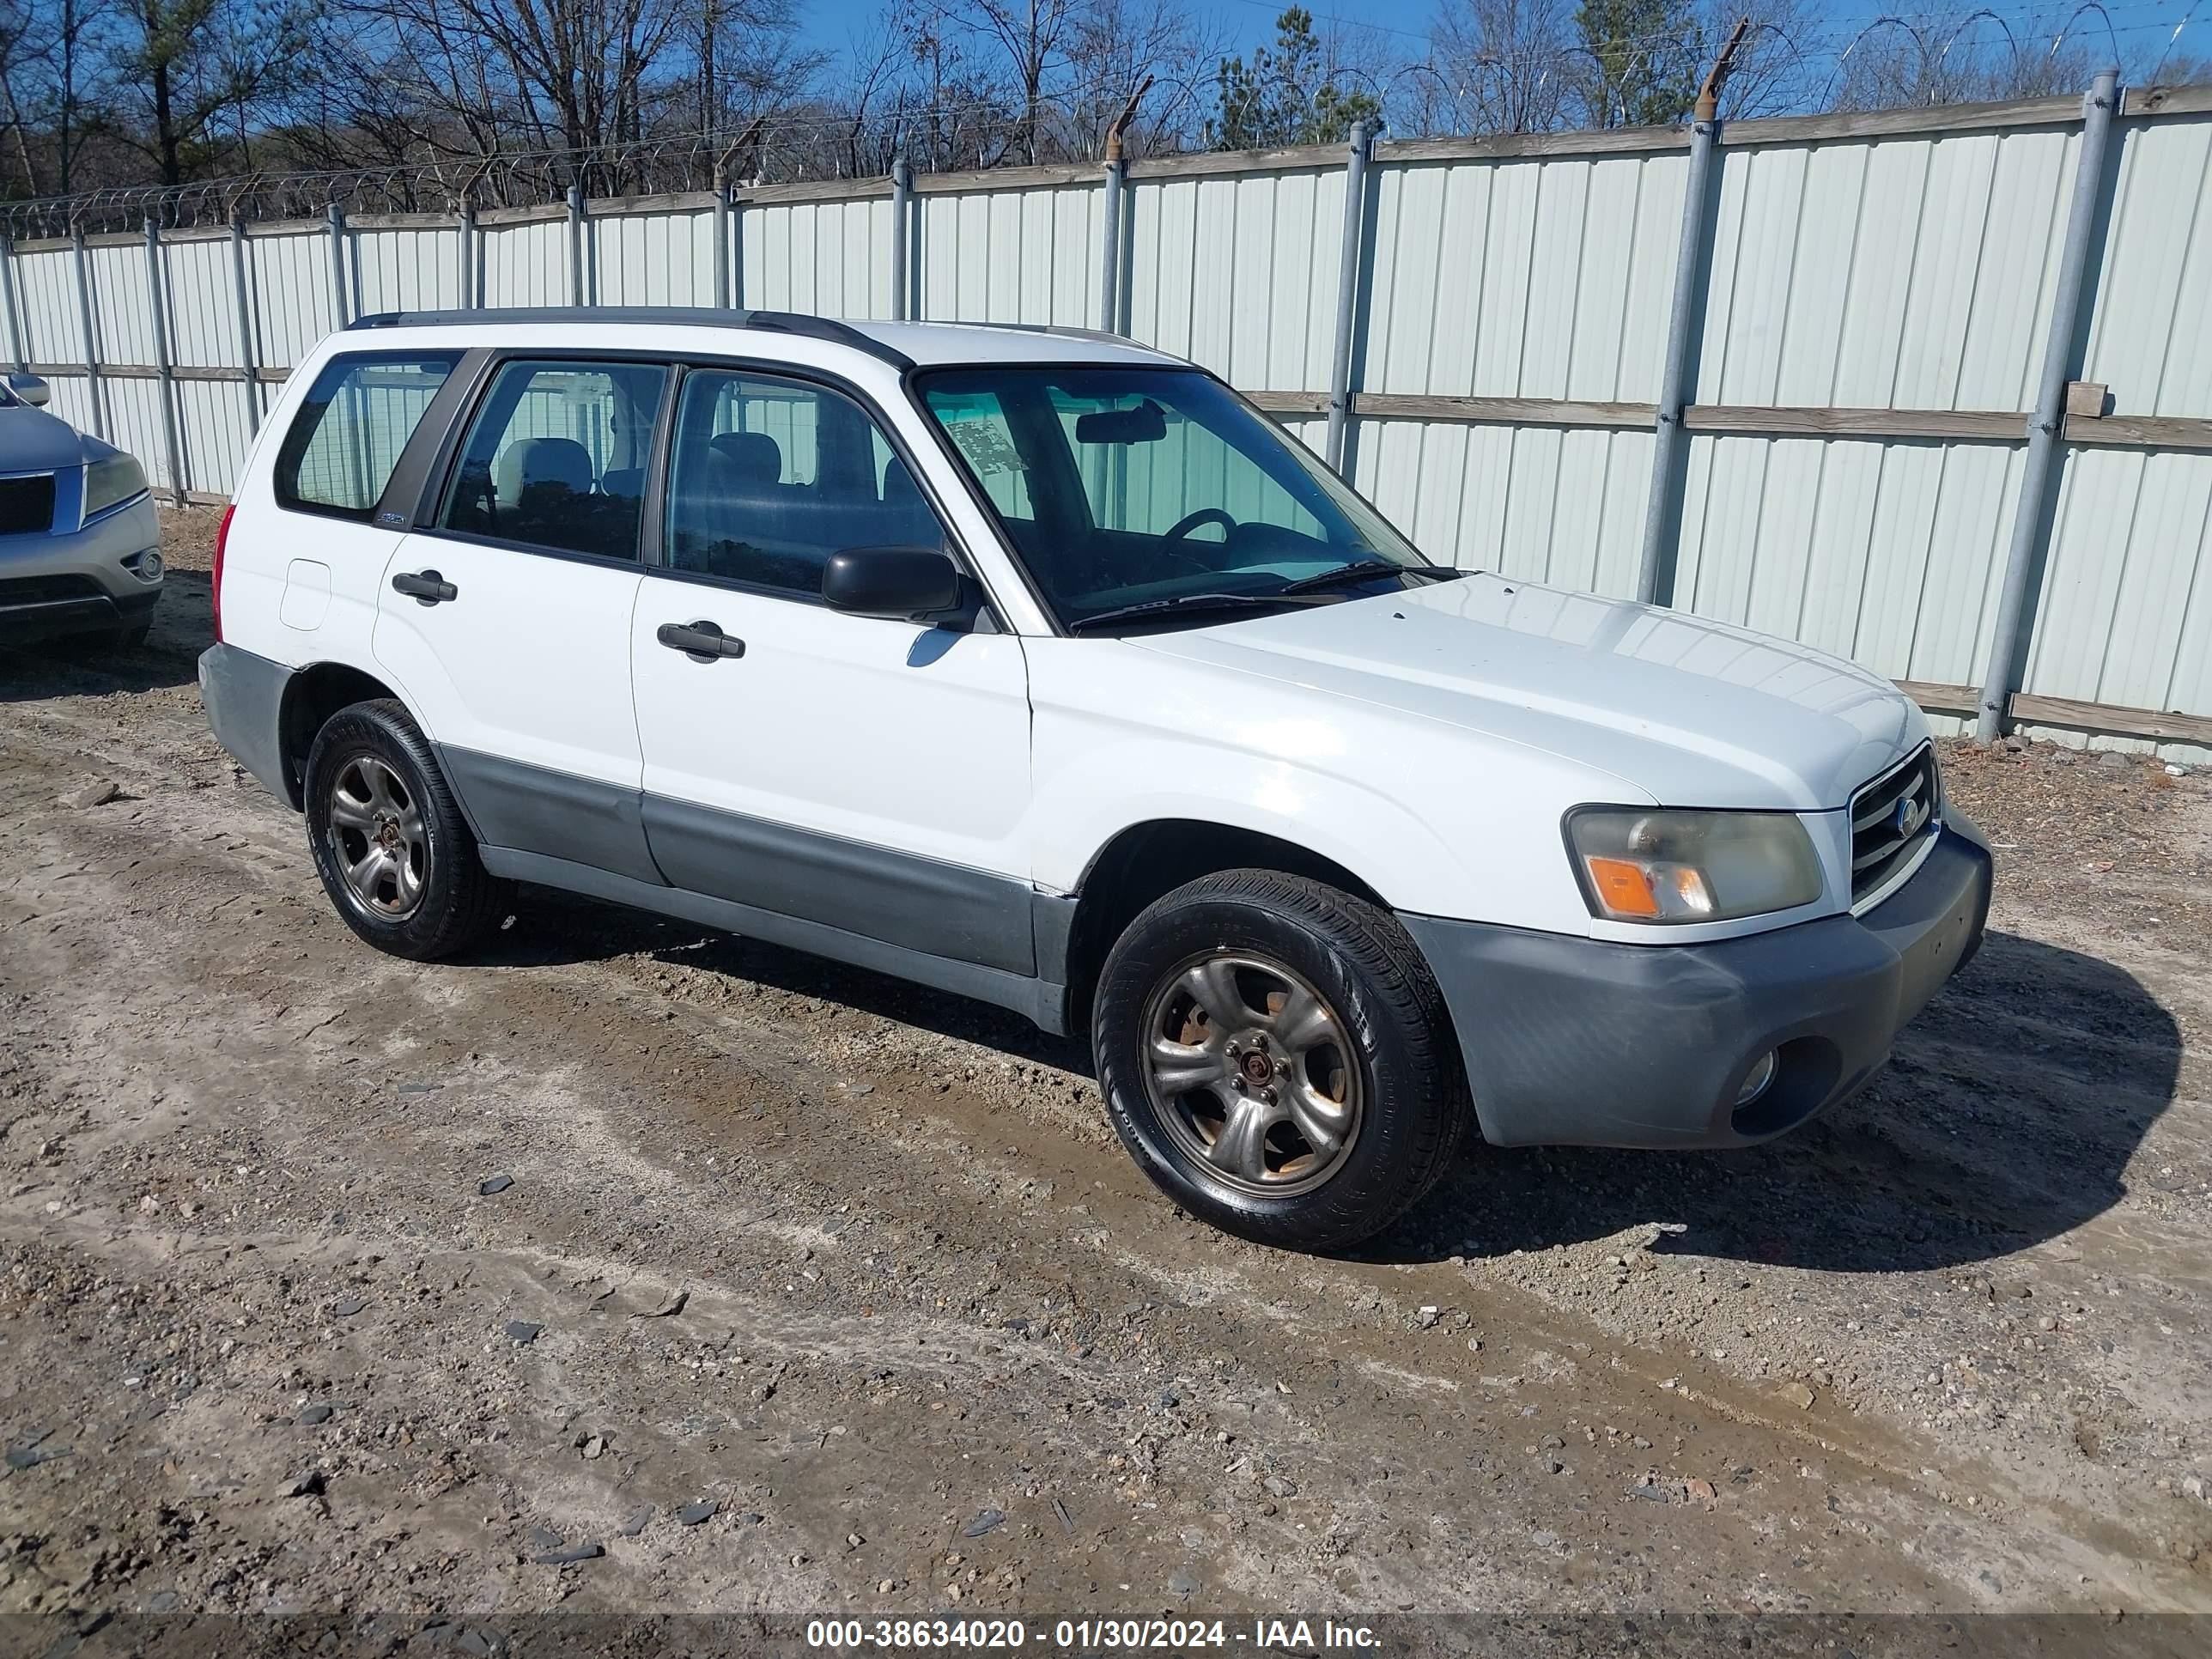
x,y
1653,866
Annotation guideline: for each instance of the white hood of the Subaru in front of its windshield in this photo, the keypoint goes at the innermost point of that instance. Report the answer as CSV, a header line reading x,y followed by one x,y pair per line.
x,y
1695,713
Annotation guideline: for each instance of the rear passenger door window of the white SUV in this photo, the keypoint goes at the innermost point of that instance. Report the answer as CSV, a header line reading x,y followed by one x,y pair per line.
x,y
556,457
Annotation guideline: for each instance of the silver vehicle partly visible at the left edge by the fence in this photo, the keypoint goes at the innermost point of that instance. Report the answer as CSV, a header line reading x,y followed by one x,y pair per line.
x,y
81,545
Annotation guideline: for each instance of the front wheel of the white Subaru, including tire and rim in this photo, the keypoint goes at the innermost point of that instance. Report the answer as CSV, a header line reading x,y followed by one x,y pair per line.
x,y
1277,1058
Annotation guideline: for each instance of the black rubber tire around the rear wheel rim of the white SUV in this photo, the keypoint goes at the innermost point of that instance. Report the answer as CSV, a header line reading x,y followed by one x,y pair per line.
x,y
457,897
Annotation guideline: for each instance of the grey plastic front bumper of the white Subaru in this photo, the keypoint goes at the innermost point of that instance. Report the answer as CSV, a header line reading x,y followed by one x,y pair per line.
x,y
1587,1043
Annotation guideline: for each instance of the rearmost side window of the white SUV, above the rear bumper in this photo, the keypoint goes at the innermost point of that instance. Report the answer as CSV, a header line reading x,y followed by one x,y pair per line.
x,y
353,428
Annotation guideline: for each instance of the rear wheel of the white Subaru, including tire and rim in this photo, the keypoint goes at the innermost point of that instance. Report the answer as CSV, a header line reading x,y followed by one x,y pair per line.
x,y
388,837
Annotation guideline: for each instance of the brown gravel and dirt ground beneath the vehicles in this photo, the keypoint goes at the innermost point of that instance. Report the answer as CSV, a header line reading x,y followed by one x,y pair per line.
x,y
632,1269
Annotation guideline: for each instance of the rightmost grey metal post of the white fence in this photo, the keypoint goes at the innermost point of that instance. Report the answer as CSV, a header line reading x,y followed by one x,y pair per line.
x,y
2047,428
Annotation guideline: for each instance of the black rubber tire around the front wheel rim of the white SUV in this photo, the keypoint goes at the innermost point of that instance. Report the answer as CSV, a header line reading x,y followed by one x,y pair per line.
x,y
1412,1100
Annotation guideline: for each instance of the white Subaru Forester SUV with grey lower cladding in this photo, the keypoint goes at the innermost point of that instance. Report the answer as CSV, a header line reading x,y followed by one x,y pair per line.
x,y
1043,669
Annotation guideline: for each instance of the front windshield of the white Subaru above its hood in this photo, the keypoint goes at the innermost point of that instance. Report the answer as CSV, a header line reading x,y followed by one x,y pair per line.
x,y
1154,486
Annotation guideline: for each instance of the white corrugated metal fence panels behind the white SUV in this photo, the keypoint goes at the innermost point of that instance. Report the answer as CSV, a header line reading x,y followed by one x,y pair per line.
x,y
1870,328
